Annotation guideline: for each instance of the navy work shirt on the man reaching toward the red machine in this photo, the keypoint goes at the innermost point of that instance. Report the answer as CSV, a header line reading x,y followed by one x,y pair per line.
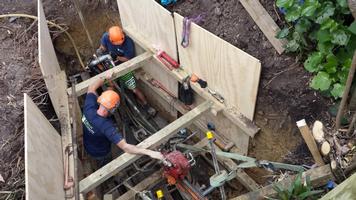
x,y
99,132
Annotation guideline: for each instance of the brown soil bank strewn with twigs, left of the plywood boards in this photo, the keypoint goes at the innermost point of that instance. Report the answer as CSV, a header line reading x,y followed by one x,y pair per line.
x,y
19,71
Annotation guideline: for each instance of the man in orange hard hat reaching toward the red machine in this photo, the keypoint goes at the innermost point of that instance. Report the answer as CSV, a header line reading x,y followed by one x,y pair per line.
x,y
100,130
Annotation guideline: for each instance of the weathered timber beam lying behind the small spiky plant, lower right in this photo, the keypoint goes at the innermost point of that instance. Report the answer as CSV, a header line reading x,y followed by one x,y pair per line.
x,y
318,177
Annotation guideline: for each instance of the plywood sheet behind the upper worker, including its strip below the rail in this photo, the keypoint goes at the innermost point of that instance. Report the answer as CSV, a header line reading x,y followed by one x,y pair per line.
x,y
148,20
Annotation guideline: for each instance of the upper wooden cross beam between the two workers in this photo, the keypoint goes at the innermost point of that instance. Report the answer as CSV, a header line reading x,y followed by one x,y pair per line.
x,y
117,71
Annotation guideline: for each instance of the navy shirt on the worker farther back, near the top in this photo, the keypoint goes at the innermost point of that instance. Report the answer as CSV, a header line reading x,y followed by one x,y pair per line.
x,y
127,49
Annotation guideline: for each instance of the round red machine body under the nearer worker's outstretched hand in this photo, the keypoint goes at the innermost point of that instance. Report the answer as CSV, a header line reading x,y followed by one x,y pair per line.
x,y
180,165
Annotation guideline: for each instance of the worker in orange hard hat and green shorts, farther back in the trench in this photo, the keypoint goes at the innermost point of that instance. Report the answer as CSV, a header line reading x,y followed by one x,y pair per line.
x,y
122,48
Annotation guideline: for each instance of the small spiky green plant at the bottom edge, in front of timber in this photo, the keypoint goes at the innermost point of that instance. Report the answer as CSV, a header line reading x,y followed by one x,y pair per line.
x,y
297,190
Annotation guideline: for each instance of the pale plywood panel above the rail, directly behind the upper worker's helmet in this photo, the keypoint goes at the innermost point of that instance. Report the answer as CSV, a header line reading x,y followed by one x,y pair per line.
x,y
150,20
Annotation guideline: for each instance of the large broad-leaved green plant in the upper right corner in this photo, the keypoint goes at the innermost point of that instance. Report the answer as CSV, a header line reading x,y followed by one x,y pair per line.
x,y
321,32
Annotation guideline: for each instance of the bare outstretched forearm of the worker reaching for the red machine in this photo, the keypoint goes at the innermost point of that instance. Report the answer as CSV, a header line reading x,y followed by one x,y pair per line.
x,y
129,148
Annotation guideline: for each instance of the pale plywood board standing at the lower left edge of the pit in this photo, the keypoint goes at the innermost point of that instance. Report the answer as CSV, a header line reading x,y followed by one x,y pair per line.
x,y
43,155
